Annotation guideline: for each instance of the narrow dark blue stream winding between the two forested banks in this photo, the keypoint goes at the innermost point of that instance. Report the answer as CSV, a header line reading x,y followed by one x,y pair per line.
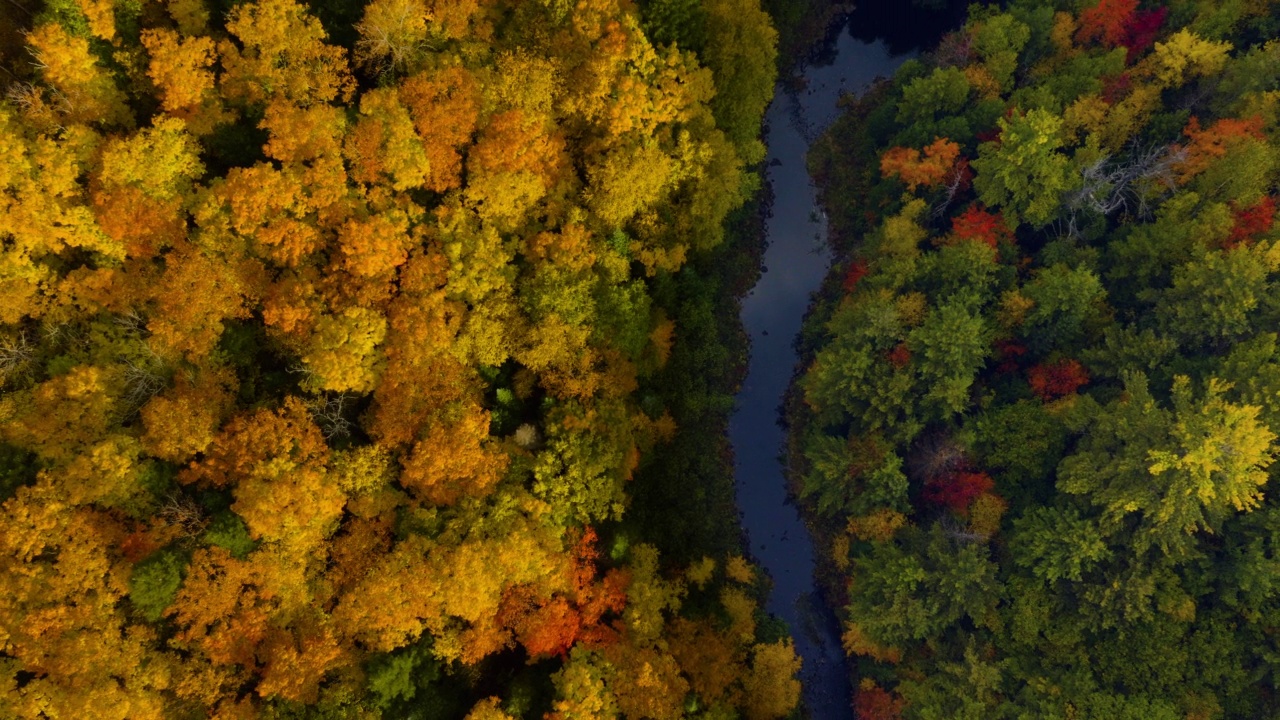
x,y
796,262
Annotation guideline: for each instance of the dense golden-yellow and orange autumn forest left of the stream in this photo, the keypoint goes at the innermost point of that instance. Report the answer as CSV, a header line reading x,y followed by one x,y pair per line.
x,y
328,341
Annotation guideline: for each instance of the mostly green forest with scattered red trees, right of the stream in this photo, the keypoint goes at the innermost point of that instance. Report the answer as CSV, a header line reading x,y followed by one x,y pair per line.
x,y
1040,417
